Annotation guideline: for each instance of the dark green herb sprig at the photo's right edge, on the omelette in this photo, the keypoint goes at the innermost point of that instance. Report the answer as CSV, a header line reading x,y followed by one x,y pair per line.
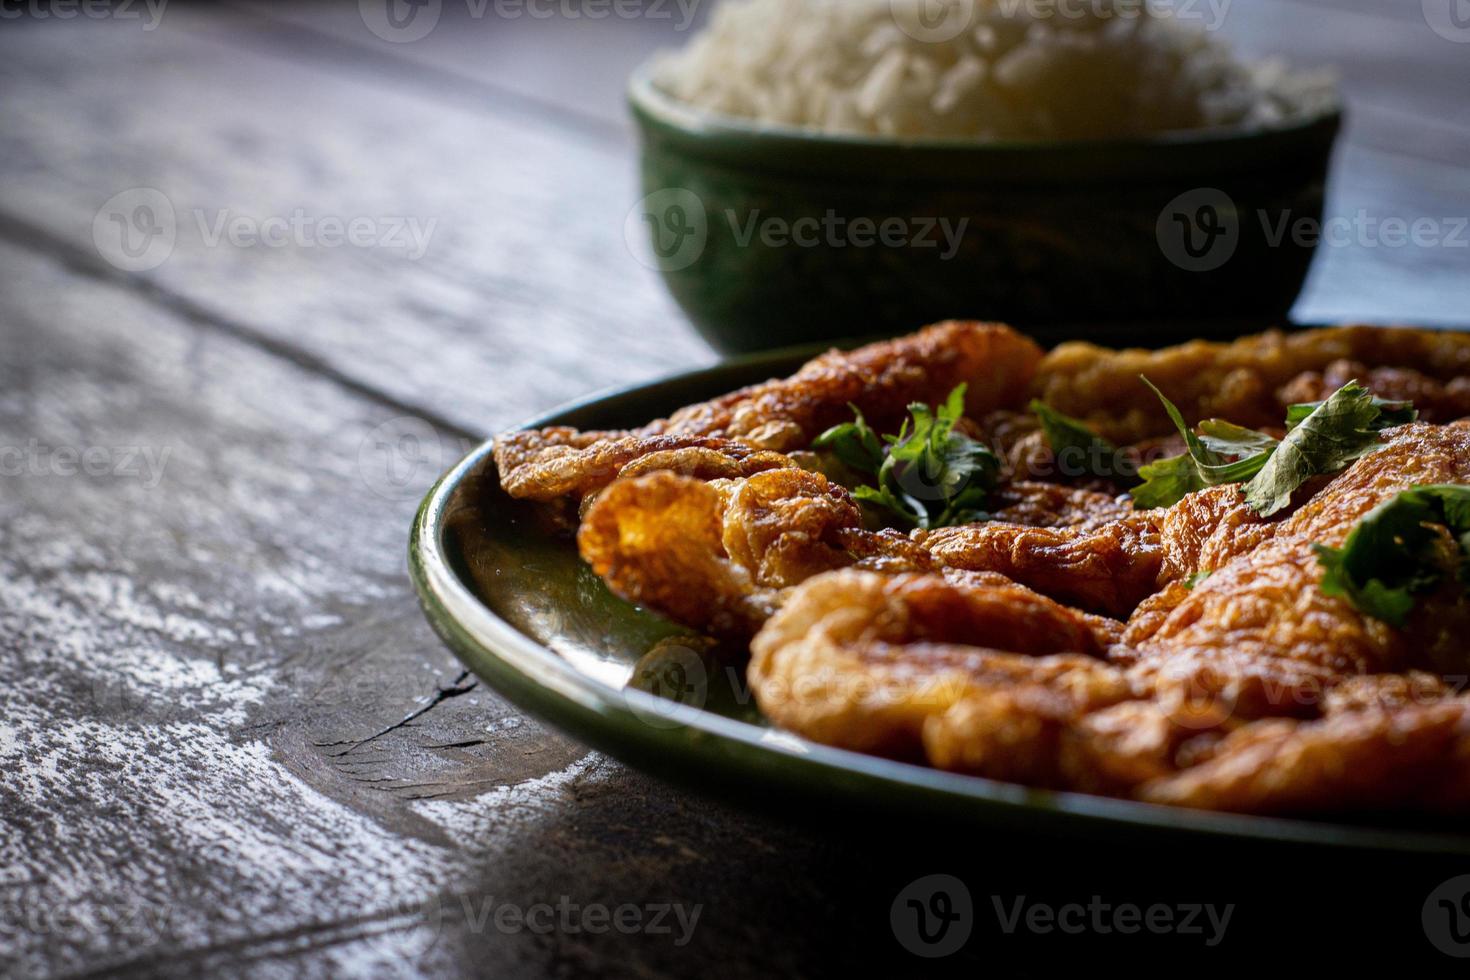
x,y
1390,556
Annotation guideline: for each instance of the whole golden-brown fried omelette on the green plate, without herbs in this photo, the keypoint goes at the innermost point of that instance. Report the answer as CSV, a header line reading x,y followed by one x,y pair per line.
x,y
1188,655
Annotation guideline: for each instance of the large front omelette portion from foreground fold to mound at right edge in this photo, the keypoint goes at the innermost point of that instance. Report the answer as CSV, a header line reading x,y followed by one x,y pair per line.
x,y
1250,691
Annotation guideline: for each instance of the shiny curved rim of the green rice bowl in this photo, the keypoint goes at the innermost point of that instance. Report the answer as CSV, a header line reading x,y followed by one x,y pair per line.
x,y
655,107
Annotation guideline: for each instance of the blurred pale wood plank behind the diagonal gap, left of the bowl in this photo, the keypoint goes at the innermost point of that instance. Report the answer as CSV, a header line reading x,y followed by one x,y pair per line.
x,y
526,296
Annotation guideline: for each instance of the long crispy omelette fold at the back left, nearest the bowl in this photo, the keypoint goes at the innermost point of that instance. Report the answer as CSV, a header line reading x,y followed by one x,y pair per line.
x,y
746,431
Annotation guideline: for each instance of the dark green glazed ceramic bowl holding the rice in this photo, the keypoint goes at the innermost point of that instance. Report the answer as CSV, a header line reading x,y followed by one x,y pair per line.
x,y
772,236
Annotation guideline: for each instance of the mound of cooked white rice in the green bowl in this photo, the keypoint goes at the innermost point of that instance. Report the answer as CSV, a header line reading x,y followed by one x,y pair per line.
x,y
997,70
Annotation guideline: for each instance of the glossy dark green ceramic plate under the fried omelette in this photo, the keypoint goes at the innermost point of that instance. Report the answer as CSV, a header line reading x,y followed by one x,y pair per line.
x,y
515,605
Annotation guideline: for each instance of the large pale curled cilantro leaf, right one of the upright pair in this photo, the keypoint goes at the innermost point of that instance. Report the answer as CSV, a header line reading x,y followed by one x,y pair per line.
x,y
1334,436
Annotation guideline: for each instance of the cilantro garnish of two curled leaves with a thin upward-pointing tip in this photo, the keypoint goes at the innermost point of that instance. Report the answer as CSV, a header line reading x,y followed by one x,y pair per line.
x,y
1324,437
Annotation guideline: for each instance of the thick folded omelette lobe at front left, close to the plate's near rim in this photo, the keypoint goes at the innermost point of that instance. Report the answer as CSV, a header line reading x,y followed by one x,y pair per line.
x,y
864,660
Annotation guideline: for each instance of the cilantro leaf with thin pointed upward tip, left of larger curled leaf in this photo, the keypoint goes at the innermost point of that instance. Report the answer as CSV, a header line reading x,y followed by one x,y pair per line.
x,y
1205,464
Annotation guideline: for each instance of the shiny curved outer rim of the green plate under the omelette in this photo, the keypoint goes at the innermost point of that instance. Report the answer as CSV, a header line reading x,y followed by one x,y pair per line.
x,y
612,721
